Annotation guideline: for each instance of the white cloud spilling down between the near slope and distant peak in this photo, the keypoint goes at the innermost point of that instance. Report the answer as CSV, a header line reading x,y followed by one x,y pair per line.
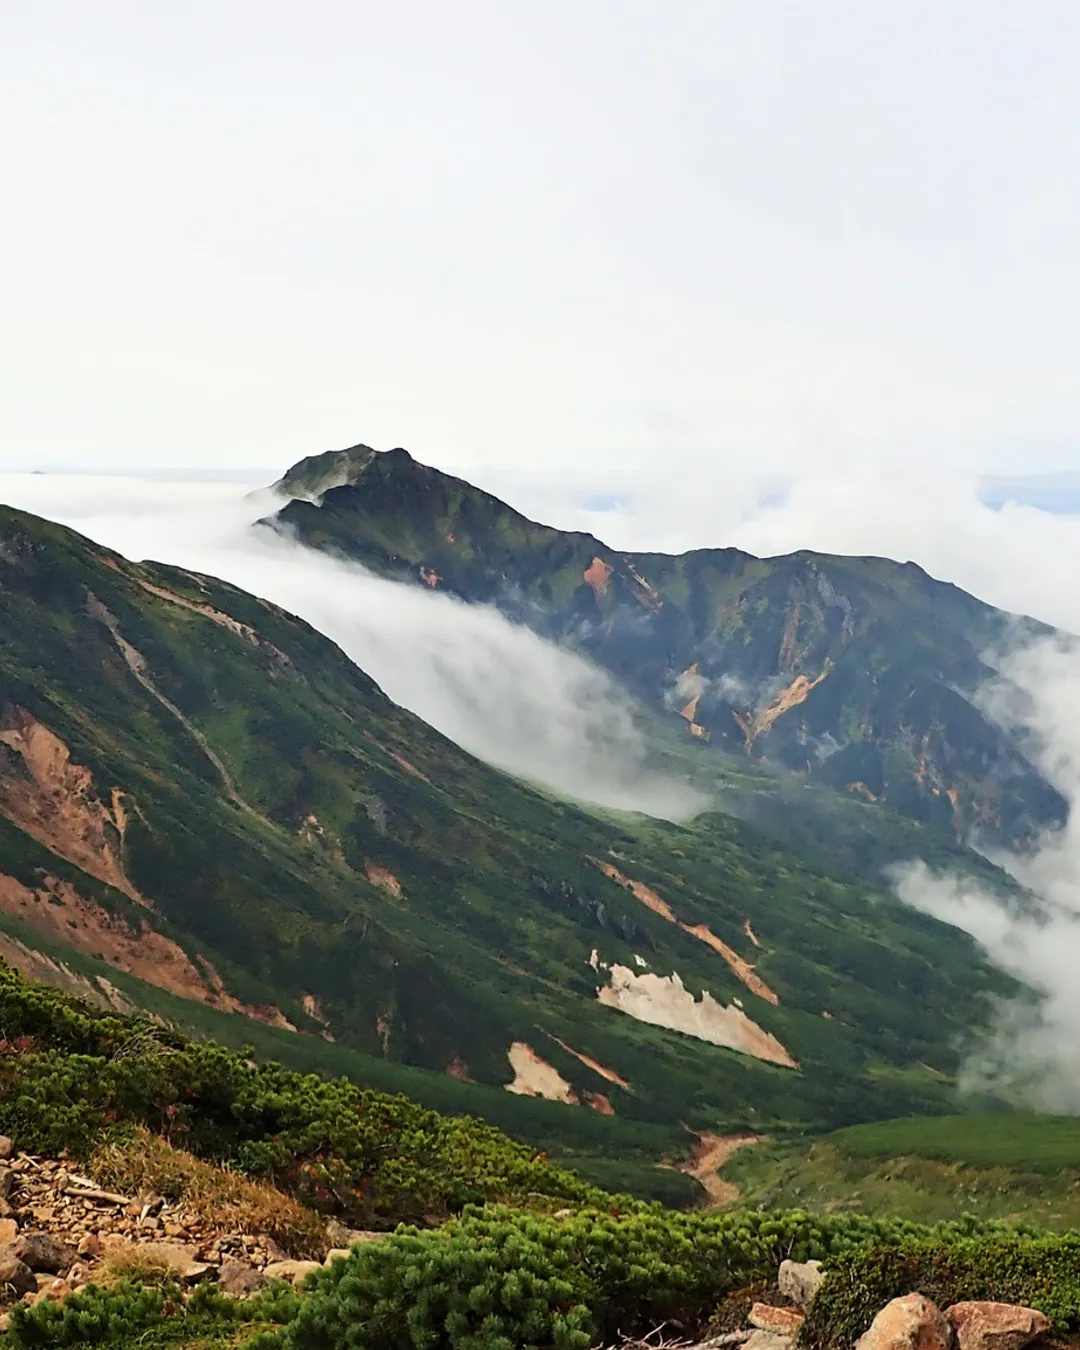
x,y
500,692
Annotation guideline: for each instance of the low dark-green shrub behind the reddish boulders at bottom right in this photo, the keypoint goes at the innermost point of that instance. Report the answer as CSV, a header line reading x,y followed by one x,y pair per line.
x,y
1000,1266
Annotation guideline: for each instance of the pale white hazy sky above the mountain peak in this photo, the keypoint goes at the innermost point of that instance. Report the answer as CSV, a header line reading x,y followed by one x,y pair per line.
x,y
584,236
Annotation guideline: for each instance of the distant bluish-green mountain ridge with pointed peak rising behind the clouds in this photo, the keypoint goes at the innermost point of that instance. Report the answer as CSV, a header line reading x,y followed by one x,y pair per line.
x,y
858,674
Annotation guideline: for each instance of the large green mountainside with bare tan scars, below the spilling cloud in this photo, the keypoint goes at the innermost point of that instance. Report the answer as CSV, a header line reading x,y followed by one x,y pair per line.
x,y
203,792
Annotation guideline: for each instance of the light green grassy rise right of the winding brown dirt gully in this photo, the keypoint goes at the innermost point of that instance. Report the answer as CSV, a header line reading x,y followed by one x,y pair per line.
x,y
996,1167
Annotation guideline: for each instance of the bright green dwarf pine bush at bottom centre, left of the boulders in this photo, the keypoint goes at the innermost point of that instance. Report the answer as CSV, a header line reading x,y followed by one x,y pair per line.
x,y
496,1280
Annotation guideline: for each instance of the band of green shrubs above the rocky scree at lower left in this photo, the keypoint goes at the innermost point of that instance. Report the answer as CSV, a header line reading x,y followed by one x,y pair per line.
x,y
74,1078
